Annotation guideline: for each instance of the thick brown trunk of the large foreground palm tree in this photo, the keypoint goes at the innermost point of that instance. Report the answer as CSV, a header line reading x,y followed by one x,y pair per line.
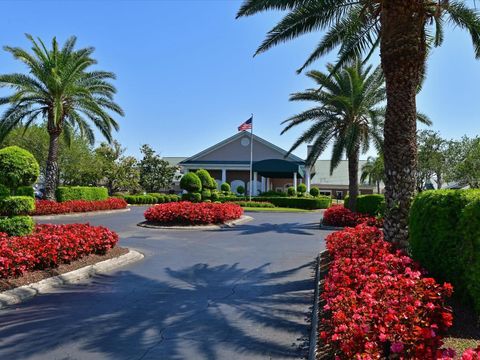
x,y
403,57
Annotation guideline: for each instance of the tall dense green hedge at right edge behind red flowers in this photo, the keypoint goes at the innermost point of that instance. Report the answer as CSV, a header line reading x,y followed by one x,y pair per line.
x,y
445,238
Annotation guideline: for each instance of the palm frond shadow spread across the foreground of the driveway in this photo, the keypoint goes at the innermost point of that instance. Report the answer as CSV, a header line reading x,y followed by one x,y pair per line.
x,y
201,312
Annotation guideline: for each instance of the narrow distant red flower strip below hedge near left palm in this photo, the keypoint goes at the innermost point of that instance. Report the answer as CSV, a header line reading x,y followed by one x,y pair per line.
x,y
47,207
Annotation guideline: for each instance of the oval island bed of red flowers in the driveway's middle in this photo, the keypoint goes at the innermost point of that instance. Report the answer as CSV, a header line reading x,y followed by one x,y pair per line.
x,y
187,213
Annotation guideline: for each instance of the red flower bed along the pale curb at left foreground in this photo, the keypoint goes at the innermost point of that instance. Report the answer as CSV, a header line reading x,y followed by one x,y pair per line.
x,y
51,245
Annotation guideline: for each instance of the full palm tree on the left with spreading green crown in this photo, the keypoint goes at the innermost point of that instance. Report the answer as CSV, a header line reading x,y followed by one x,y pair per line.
x,y
61,91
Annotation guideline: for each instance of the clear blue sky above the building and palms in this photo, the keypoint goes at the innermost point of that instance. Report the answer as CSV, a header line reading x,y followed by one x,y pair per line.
x,y
187,78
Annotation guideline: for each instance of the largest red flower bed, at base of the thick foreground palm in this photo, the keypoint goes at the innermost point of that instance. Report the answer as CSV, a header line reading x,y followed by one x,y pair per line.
x,y
380,304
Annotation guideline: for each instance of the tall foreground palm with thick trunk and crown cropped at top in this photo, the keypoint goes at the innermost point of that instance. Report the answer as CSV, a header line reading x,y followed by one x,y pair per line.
x,y
404,30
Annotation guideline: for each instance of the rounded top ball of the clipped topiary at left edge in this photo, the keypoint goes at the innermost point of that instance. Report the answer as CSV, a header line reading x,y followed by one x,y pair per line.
x,y
18,167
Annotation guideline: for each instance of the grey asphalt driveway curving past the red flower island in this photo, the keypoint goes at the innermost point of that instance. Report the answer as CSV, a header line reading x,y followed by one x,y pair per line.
x,y
240,293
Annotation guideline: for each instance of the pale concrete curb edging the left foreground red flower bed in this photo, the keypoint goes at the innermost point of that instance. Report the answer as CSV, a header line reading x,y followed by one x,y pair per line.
x,y
26,292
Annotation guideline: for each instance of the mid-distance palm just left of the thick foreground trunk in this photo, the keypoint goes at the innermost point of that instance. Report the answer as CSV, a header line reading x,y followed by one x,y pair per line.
x,y
349,115
